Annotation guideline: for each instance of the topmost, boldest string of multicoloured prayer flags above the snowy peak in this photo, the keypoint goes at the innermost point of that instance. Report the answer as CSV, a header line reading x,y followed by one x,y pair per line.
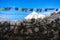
x,y
29,9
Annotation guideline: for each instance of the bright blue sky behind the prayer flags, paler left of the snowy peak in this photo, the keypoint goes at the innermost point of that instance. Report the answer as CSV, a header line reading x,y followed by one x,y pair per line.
x,y
16,15
